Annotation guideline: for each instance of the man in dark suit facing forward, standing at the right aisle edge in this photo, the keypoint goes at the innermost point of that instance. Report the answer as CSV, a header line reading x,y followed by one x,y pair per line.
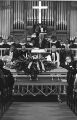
x,y
71,67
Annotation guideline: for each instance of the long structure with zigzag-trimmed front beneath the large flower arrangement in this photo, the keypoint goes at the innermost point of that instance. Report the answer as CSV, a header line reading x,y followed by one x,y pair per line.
x,y
48,83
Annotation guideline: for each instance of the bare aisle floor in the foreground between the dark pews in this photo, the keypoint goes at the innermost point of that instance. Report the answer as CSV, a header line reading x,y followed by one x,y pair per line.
x,y
39,111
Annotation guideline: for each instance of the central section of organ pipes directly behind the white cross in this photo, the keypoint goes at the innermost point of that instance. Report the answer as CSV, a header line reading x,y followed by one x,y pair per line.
x,y
47,15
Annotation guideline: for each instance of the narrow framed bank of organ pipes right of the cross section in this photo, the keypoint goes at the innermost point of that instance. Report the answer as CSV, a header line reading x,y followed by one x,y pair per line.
x,y
61,12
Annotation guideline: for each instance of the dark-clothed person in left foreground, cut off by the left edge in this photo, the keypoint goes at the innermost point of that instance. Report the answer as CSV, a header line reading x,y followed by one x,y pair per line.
x,y
6,84
